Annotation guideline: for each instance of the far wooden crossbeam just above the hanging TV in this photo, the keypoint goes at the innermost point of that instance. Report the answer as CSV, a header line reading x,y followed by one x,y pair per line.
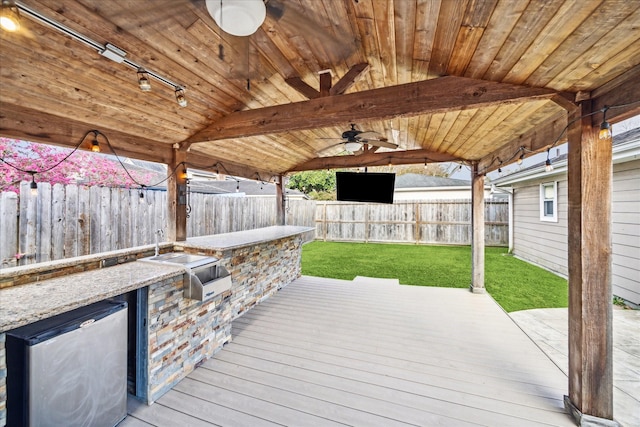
x,y
370,158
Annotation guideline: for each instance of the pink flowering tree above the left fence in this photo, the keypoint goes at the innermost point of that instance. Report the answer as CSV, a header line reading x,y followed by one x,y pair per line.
x,y
81,167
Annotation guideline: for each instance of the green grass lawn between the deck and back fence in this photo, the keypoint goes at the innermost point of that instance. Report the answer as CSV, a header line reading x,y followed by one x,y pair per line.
x,y
514,284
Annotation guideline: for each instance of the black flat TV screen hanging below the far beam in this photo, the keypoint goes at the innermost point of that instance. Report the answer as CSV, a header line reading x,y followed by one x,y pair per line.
x,y
365,187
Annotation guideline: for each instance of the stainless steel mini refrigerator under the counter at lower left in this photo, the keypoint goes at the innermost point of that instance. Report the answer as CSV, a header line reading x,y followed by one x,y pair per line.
x,y
69,370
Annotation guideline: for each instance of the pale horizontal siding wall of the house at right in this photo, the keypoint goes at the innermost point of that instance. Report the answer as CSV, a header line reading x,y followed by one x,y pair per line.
x,y
545,243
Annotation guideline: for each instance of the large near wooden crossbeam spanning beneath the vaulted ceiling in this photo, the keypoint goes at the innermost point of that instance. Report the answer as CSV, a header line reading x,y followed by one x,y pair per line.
x,y
430,96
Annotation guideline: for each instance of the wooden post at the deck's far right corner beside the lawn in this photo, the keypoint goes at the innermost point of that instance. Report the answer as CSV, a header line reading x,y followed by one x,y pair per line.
x,y
477,234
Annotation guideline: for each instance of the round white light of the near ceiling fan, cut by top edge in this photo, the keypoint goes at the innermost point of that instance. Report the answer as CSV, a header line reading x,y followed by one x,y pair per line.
x,y
237,17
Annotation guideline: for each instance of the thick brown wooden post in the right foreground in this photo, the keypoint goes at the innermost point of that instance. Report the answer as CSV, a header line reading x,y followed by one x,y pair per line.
x,y
590,294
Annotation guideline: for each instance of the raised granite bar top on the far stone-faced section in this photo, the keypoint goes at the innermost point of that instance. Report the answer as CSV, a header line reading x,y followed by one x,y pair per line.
x,y
240,239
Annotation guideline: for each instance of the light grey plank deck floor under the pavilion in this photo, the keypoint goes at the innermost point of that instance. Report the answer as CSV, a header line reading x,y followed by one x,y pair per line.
x,y
328,352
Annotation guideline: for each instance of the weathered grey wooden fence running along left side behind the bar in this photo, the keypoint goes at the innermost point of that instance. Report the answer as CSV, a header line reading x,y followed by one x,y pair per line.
x,y
67,221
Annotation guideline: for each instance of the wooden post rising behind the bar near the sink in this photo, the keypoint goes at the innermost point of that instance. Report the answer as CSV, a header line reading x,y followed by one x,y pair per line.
x,y
177,198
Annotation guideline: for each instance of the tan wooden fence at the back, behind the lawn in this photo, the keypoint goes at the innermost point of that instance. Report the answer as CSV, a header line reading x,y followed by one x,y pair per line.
x,y
446,222
